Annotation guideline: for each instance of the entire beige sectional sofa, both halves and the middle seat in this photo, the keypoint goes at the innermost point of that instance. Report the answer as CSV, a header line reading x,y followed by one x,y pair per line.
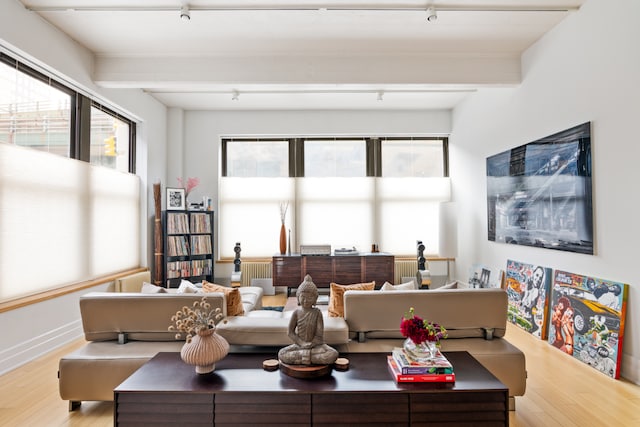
x,y
125,329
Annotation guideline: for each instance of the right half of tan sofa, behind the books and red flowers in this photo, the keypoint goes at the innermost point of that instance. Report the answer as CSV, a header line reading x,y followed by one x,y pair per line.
x,y
476,321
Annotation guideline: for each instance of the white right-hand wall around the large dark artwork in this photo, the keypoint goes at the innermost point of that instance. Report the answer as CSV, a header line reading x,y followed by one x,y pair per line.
x,y
586,69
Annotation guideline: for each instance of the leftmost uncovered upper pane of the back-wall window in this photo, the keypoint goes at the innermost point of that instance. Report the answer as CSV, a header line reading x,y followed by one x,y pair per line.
x,y
257,159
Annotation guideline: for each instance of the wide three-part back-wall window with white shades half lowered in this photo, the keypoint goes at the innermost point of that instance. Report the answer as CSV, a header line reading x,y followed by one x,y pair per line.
x,y
341,191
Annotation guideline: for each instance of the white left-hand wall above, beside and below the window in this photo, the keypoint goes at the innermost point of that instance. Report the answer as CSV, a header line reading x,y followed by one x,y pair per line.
x,y
36,329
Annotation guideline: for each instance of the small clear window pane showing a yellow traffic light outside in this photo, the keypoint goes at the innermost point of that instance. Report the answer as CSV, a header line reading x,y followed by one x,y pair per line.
x,y
109,141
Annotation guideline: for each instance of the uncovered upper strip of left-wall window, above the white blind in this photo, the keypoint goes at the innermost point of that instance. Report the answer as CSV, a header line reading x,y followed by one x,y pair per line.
x,y
40,113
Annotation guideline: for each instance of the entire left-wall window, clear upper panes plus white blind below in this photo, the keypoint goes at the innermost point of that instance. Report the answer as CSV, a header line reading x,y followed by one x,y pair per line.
x,y
67,213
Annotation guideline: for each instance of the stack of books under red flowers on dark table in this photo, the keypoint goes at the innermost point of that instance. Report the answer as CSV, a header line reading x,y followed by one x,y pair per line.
x,y
404,369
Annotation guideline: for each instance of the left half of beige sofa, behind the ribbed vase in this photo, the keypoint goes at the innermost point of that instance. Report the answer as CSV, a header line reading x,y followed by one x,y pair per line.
x,y
123,330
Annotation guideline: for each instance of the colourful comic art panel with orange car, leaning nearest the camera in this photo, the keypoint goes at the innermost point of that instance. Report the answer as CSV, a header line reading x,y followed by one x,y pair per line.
x,y
587,320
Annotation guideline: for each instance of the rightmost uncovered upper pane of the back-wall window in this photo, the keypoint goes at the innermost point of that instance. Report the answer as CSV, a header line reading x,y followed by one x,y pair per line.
x,y
412,158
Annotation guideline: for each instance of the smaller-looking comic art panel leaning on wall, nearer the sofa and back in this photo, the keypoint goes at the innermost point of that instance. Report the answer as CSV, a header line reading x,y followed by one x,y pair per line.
x,y
528,288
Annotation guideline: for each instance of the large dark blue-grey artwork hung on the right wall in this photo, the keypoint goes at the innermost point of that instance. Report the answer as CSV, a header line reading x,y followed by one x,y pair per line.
x,y
539,194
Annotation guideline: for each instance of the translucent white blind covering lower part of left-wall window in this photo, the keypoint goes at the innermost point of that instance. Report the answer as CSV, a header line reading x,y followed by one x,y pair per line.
x,y
63,221
